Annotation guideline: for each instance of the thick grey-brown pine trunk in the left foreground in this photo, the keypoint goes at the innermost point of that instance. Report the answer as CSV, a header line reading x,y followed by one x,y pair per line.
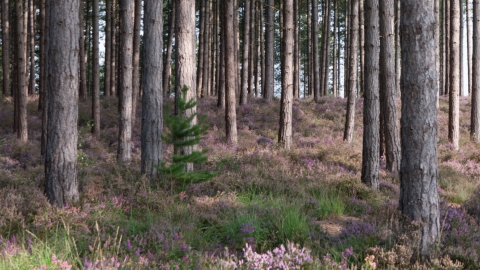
x,y
61,181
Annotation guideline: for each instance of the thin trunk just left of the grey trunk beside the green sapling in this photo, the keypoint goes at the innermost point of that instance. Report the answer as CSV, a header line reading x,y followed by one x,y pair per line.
x,y
136,58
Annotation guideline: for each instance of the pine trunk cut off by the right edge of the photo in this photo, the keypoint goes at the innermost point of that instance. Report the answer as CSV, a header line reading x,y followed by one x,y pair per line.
x,y
475,117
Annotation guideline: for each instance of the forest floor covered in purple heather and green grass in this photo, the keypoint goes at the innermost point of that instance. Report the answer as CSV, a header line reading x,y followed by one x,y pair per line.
x,y
266,207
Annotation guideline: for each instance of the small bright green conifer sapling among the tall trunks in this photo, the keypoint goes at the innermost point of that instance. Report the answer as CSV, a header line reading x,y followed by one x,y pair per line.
x,y
182,132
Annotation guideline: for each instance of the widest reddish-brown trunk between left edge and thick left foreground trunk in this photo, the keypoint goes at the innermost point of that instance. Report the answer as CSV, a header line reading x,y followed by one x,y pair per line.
x,y
22,132
